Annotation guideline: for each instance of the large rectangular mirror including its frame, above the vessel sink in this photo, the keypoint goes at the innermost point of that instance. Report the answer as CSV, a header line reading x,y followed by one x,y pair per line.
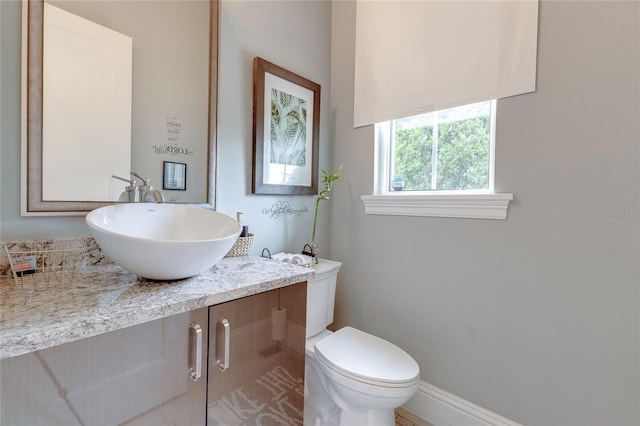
x,y
173,106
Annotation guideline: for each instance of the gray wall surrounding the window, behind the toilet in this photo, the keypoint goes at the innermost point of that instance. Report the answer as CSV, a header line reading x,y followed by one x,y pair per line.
x,y
535,317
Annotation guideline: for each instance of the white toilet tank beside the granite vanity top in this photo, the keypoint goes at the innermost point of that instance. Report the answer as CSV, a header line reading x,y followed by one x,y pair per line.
x,y
321,294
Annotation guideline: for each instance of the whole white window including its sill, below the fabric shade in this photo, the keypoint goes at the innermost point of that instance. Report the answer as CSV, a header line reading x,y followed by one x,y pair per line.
x,y
438,164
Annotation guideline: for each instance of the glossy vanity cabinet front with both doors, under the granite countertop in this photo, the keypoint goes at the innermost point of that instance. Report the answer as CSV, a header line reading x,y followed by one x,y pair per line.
x,y
156,373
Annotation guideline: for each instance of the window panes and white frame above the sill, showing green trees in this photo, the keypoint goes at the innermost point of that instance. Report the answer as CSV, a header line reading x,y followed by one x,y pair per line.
x,y
450,149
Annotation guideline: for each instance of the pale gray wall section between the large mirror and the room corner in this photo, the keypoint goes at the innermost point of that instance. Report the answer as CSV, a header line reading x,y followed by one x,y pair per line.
x,y
295,35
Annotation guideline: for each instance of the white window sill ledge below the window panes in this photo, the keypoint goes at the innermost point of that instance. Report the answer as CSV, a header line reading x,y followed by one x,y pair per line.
x,y
456,205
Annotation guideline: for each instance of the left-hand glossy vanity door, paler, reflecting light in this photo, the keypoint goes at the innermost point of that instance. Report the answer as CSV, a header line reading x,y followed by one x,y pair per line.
x,y
139,375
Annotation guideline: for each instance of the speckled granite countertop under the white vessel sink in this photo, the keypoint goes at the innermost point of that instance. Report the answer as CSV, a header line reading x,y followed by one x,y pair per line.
x,y
103,297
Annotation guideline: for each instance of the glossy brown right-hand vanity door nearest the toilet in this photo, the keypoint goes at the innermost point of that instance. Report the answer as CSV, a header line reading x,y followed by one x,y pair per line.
x,y
256,359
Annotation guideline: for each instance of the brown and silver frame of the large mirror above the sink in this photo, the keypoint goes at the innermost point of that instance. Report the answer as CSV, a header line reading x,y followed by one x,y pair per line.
x,y
32,203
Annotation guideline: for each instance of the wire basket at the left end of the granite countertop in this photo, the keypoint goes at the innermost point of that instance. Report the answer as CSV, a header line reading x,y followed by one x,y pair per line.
x,y
41,263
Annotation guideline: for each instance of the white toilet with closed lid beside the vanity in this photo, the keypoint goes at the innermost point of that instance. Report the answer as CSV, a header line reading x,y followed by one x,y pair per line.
x,y
352,378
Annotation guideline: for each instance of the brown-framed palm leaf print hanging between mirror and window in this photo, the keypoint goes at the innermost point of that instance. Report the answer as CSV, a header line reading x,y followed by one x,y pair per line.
x,y
286,119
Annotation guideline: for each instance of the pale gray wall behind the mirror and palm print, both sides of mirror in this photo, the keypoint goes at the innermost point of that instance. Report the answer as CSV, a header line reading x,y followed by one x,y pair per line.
x,y
294,35
